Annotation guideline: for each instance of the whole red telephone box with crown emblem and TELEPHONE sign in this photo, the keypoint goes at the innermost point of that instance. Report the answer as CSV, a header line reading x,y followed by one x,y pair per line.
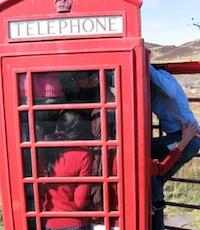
x,y
74,115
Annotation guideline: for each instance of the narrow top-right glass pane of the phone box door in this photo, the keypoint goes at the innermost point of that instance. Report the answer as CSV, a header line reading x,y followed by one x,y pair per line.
x,y
110,85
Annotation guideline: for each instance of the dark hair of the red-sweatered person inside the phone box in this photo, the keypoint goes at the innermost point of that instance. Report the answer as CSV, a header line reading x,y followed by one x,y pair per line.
x,y
70,126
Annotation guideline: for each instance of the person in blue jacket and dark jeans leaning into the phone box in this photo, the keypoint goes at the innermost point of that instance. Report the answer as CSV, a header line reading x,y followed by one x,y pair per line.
x,y
170,104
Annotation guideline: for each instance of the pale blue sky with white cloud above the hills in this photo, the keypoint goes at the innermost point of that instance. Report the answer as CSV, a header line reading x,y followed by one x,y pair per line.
x,y
170,22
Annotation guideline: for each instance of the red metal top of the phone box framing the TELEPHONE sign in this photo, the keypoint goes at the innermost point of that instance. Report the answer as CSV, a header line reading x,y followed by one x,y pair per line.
x,y
12,11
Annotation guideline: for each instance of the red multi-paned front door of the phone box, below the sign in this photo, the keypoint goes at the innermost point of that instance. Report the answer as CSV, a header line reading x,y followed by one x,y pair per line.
x,y
57,179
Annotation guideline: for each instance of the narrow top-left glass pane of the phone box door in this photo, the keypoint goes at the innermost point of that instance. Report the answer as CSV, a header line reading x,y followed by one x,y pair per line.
x,y
22,89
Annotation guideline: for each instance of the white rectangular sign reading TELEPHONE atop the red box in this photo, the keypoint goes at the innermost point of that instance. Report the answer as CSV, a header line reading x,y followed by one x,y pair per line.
x,y
66,27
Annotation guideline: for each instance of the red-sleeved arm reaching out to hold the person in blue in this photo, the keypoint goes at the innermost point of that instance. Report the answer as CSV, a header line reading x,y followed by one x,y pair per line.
x,y
159,168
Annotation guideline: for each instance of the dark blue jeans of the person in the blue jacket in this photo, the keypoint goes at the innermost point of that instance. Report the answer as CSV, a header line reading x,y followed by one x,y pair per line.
x,y
159,150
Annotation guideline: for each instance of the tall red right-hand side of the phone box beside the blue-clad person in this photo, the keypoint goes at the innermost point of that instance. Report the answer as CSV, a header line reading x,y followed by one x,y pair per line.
x,y
144,136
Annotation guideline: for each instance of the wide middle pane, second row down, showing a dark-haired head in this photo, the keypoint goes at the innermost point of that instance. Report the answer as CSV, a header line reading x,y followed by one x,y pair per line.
x,y
63,125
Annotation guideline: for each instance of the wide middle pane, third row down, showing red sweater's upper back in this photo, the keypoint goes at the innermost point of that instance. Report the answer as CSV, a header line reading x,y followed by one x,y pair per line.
x,y
64,162
